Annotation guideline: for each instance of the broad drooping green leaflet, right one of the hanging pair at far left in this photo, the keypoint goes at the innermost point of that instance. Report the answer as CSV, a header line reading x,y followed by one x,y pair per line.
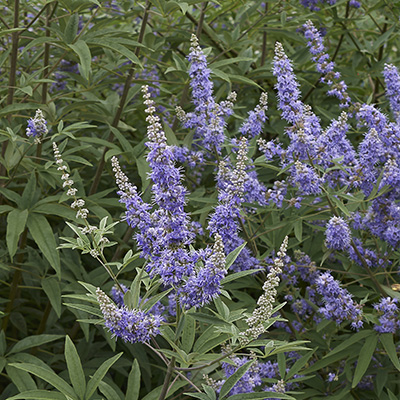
x,y
43,235
